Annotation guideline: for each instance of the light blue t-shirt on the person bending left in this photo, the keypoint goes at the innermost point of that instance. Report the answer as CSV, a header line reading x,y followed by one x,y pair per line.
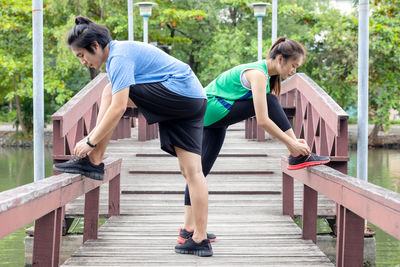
x,y
131,62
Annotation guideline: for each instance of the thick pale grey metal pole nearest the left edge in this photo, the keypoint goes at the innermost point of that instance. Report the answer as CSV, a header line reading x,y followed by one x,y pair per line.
x,y
38,102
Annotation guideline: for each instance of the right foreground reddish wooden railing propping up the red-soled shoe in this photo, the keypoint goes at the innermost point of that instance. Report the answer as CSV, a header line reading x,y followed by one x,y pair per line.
x,y
355,200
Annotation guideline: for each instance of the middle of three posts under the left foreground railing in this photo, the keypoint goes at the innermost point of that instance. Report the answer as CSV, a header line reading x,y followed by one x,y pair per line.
x,y
91,221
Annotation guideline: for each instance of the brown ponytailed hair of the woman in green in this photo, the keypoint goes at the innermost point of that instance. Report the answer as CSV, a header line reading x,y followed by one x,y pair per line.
x,y
288,49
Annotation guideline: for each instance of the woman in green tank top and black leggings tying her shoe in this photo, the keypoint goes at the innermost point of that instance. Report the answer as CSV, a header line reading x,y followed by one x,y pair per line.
x,y
242,92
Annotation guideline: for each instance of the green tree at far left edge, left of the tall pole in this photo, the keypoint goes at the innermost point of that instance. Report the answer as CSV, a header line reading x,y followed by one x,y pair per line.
x,y
15,58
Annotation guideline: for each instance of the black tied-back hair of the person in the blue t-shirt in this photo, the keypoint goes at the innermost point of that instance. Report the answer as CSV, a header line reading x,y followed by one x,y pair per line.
x,y
85,32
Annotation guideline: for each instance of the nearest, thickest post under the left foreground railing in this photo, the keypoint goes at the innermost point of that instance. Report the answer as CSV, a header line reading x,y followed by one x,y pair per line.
x,y
47,239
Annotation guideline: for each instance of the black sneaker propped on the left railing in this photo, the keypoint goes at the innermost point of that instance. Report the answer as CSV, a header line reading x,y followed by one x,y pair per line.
x,y
81,166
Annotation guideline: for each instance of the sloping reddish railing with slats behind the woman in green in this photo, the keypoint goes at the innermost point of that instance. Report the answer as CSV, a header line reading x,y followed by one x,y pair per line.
x,y
315,117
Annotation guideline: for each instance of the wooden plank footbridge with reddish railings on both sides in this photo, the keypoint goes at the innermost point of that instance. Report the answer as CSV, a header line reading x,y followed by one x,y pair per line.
x,y
252,196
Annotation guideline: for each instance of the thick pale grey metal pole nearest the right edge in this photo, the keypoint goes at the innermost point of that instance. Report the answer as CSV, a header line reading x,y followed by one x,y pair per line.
x,y
363,46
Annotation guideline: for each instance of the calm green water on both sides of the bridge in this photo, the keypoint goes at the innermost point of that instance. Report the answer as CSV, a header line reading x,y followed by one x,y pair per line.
x,y
16,167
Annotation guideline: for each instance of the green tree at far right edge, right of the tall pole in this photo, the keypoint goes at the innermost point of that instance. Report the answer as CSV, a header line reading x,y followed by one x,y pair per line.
x,y
384,71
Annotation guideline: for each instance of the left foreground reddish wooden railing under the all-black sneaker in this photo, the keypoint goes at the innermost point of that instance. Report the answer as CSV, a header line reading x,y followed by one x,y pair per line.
x,y
44,201
